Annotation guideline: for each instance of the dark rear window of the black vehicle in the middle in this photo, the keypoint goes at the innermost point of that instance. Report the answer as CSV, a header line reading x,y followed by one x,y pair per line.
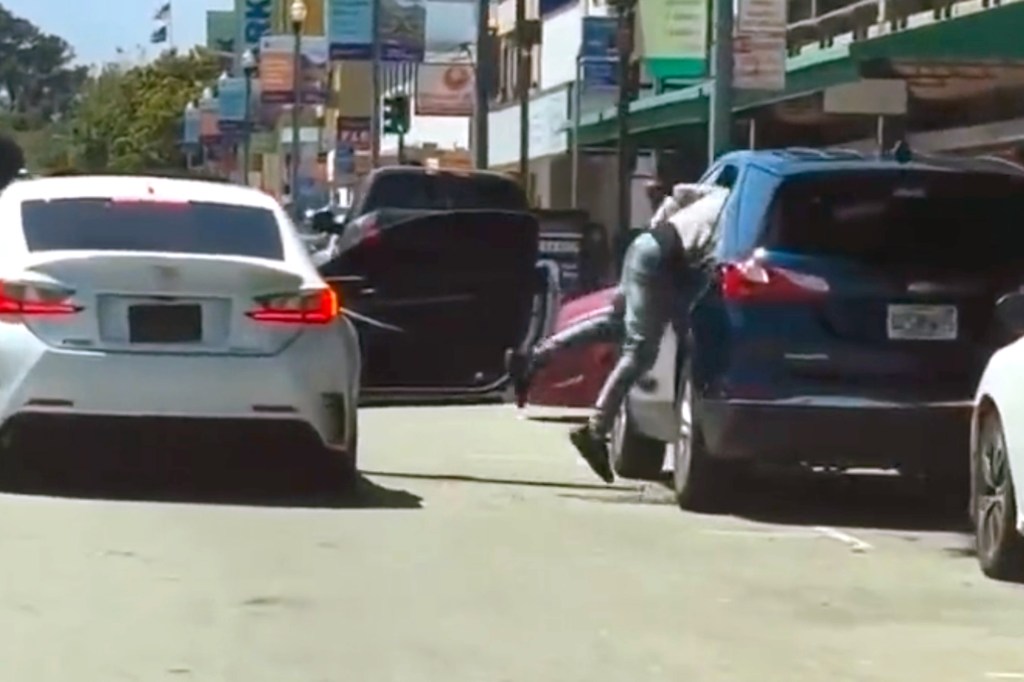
x,y
445,192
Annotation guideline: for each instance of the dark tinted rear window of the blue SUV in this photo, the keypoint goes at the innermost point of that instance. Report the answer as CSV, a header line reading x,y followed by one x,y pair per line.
x,y
957,221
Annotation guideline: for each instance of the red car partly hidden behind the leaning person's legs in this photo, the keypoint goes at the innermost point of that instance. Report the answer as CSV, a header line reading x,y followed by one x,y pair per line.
x,y
574,377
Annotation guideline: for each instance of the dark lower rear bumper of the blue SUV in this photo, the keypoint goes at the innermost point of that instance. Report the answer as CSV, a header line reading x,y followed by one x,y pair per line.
x,y
841,433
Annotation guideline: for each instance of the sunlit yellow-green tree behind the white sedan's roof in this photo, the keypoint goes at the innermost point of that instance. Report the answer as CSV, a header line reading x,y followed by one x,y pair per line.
x,y
131,119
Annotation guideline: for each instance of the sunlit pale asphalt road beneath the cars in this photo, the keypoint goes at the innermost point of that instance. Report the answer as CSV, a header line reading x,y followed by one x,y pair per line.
x,y
480,550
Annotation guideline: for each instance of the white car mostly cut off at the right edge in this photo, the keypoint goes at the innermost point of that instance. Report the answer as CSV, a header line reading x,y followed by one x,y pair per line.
x,y
998,453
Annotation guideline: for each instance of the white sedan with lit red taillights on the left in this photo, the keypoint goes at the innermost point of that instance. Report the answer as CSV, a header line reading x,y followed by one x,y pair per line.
x,y
151,303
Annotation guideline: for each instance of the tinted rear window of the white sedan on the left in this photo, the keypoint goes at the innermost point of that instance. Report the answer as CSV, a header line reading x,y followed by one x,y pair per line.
x,y
103,225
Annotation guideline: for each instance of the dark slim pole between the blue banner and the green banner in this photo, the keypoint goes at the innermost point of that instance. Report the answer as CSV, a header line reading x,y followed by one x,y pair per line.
x,y
626,15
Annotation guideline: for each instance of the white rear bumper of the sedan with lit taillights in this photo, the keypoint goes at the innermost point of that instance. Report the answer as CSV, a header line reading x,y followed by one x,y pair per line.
x,y
310,385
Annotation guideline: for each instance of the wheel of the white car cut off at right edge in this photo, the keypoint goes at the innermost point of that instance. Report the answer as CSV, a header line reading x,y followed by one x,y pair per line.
x,y
994,502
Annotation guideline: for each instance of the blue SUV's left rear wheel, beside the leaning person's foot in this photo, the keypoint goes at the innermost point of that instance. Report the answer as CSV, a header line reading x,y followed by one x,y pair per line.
x,y
700,483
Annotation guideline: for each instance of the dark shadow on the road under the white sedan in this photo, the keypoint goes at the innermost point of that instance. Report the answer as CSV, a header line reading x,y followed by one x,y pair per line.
x,y
237,479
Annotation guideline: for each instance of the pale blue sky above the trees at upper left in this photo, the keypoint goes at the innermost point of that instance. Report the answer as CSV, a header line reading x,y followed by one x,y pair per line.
x,y
97,34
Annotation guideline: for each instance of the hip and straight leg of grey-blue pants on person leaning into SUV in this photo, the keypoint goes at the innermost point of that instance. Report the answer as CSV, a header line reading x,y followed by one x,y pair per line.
x,y
649,308
